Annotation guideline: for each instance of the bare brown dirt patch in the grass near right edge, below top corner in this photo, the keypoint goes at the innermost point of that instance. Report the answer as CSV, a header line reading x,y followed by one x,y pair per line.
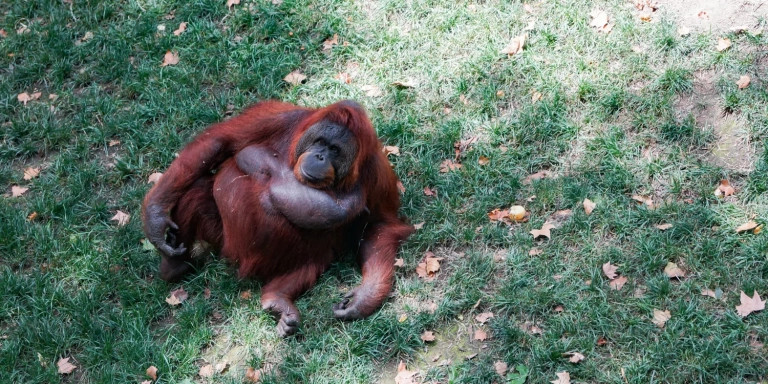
x,y
732,149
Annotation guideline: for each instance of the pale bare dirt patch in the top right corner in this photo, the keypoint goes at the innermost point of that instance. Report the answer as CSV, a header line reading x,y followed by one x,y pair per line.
x,y
715,15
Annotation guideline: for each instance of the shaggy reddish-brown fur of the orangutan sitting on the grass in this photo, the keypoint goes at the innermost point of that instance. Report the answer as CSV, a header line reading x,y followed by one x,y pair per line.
x,y
224,209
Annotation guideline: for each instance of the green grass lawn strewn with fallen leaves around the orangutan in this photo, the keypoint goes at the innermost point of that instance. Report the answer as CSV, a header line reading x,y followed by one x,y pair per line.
x,y
610,124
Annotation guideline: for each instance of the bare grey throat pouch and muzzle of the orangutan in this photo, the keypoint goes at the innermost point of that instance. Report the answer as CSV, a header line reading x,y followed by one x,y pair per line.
x,y
303,205
